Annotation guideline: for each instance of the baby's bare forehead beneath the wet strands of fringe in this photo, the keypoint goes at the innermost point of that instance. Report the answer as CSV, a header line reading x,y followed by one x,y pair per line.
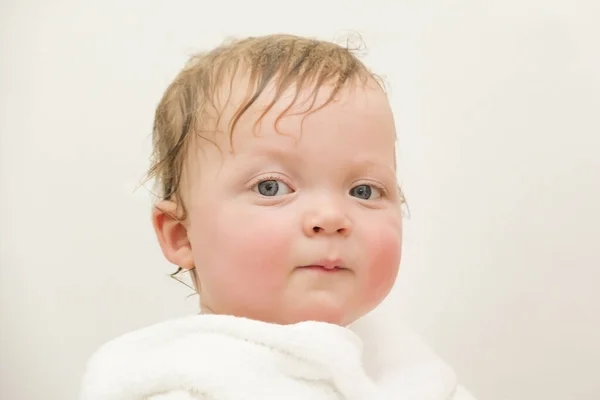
x,y
357,112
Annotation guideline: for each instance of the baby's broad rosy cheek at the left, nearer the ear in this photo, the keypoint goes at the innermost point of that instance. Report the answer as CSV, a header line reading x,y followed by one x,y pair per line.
x,y
243,245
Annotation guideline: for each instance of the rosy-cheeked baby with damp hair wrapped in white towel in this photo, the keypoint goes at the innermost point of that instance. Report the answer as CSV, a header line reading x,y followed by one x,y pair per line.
x,y
275,159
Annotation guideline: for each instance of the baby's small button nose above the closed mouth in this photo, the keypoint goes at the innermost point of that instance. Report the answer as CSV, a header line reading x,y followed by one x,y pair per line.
x,y
326,220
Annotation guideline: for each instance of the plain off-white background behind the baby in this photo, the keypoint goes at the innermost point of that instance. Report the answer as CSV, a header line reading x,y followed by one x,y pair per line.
x,y
498,113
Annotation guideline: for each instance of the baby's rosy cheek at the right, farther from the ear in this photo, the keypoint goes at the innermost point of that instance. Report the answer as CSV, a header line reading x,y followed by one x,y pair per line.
x,y
384,252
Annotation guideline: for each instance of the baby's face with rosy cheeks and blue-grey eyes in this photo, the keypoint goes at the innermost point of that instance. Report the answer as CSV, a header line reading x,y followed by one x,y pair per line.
x,y
299,222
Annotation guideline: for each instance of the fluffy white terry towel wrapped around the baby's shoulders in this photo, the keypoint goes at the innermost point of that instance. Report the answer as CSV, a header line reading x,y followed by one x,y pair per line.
x,y
213,357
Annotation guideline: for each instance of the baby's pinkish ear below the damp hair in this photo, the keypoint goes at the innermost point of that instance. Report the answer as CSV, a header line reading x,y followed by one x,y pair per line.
x,y
172,234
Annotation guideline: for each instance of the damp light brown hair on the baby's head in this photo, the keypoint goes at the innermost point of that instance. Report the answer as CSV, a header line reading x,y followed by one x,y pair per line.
x,y
282,60
